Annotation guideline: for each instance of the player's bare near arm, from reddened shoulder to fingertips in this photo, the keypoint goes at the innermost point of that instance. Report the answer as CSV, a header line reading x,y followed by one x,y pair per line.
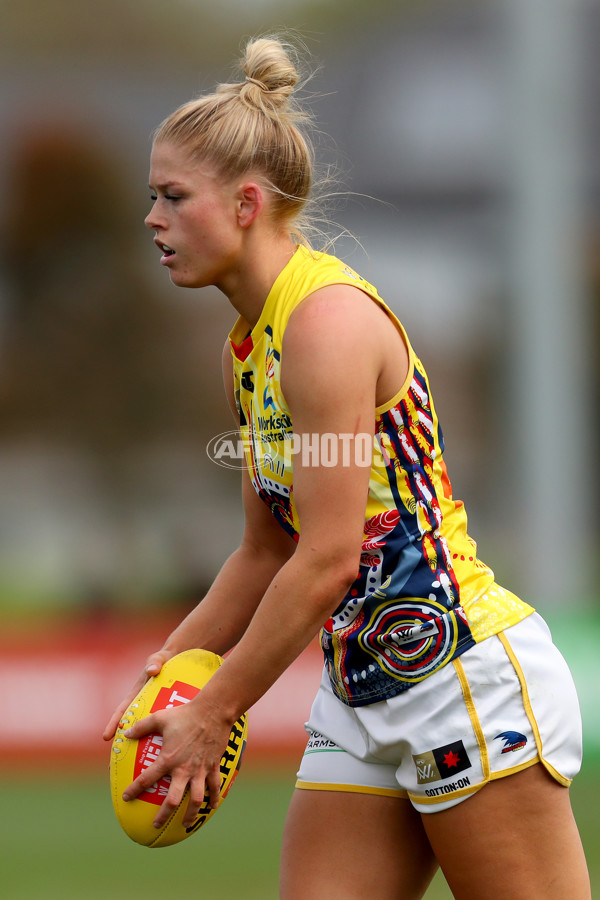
x,y
307,589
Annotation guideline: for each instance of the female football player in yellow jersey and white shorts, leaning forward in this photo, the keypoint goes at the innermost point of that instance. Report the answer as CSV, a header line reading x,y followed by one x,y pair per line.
x,y
446,730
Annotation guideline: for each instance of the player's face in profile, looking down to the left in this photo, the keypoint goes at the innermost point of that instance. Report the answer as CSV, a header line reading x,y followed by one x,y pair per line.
x,y
194,219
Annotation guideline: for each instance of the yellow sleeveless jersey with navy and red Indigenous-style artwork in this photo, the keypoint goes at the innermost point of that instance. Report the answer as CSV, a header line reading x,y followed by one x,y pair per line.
x,y
421,596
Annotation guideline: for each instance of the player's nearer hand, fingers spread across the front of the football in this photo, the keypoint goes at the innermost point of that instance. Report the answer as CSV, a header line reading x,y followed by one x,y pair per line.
x,y
194,739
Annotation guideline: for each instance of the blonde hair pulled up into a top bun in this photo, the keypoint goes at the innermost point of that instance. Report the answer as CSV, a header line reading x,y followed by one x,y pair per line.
x,y
254,125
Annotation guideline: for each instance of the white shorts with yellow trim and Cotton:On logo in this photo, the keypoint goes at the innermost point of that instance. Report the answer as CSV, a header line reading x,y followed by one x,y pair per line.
x,y
505,704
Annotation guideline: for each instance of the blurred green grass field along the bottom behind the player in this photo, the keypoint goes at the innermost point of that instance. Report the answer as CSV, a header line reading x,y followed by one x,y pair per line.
x,y
60,841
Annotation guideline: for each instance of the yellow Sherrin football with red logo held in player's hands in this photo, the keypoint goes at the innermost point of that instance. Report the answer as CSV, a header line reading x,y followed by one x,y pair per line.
x,y
179,680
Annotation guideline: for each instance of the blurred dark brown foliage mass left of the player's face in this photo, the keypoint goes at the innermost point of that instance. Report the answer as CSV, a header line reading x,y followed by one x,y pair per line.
x,y
91,354
